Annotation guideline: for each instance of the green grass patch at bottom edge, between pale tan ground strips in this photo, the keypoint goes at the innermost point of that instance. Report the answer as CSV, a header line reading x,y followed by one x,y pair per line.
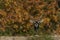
x,y
41,37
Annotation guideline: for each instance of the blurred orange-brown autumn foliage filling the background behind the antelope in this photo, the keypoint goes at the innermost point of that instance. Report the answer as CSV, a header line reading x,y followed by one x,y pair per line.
x,y
15,16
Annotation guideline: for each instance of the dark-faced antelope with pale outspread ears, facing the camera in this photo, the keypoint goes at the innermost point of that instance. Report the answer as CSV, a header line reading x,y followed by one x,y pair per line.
x,y
36,22
